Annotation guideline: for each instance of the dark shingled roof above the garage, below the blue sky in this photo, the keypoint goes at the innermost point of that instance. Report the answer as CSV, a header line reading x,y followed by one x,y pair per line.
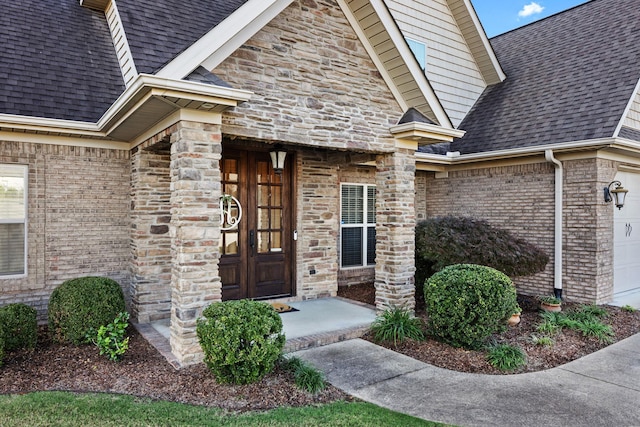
x,y
570,77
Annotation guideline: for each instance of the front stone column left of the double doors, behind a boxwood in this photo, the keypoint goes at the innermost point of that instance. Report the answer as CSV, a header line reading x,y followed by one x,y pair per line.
x,y
196,150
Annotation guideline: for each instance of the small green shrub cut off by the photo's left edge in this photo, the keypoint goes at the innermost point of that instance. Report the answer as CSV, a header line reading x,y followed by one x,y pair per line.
x,y
20,325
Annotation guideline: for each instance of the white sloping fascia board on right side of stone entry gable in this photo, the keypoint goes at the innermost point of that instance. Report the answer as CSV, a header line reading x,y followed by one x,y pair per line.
x,y
414,68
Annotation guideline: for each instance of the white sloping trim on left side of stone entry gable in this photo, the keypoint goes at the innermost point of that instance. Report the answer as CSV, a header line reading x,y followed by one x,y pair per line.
x,y
219,43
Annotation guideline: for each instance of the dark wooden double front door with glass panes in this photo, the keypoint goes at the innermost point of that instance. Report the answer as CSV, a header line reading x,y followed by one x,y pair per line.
x,y
256,251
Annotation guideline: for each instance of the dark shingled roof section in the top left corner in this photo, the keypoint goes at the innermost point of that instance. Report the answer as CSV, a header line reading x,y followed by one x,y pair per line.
x,y
51,70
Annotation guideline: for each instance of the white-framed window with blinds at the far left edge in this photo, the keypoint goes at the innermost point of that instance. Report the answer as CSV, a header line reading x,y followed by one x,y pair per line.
x,y
13,219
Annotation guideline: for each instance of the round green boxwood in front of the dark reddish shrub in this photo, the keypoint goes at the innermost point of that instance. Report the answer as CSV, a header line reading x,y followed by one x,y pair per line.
x,y
467,303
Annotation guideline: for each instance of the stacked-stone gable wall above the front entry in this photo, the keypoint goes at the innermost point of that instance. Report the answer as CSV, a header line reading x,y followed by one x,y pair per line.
x,y
313,82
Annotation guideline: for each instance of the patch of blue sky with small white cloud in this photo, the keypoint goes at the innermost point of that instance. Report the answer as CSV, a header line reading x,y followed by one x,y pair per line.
x,y
500,16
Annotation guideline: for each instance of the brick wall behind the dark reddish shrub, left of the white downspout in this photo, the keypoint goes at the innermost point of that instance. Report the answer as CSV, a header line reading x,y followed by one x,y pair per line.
x,y
517,198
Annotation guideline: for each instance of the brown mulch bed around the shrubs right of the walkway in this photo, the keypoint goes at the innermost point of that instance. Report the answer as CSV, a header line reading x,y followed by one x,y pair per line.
x,y
568,345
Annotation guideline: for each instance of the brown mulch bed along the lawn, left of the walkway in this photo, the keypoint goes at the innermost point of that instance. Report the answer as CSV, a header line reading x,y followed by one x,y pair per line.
x,y
144,372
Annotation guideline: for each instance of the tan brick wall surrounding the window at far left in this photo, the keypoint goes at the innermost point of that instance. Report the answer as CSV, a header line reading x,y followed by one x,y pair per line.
x,y
78,218
